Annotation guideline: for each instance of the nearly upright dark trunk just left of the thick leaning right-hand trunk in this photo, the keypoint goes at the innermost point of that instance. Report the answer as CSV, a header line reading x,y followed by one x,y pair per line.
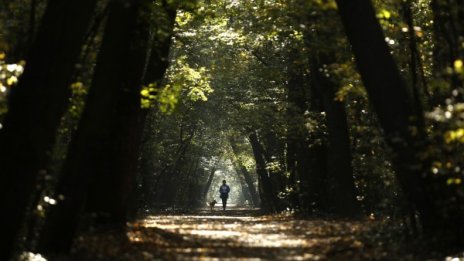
x,y
341,189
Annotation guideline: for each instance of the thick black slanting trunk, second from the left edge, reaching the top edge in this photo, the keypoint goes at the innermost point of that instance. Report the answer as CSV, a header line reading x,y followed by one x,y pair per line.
x,y
88,153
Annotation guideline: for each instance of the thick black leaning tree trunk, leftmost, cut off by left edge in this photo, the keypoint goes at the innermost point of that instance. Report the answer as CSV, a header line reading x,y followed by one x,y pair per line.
x,y
36,106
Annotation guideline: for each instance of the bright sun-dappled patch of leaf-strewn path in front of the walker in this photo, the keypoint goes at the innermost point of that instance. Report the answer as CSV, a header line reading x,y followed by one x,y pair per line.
x,y
218,235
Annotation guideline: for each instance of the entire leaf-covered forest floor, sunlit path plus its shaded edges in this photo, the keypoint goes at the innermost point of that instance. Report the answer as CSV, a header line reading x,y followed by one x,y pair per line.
x,y
245,234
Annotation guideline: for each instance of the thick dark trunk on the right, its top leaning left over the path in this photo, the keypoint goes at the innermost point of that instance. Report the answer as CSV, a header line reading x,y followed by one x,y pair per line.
x,y
392,101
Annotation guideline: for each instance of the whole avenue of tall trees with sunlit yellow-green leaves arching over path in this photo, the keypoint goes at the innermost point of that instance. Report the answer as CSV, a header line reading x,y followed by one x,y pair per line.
x,y
114,108
